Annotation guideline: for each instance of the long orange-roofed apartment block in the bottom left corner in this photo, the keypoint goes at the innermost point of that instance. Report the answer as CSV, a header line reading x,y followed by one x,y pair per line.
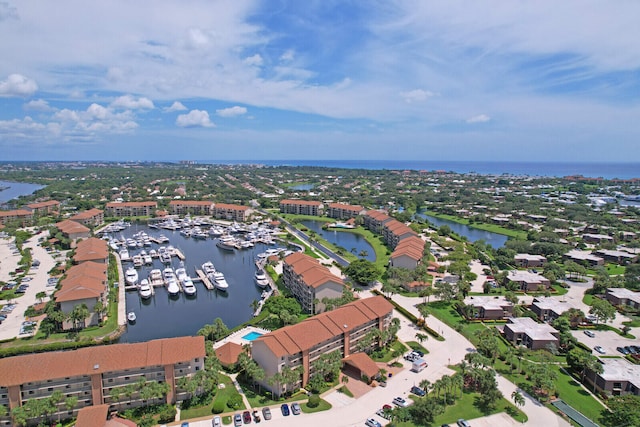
x,y
96,375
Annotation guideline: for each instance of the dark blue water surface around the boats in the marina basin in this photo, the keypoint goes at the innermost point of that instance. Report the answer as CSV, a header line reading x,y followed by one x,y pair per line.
x,y
163,317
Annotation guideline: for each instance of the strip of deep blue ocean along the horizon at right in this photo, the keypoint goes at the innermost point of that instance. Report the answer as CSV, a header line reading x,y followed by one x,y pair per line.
x,y
546,169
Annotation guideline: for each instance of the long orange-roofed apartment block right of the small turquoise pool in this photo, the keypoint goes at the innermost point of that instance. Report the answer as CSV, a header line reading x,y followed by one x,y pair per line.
x,y
303,343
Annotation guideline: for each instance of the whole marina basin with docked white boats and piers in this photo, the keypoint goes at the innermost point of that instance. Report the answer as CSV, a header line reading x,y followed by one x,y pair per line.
x,y
187,297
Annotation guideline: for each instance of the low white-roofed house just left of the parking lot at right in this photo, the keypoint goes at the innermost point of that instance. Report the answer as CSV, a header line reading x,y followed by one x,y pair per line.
x,y
527,332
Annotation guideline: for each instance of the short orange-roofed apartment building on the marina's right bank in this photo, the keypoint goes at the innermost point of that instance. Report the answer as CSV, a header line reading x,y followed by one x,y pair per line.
x,y
310,282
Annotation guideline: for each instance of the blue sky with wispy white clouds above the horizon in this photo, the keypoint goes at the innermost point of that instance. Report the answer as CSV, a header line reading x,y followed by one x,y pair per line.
x,y
222,80
